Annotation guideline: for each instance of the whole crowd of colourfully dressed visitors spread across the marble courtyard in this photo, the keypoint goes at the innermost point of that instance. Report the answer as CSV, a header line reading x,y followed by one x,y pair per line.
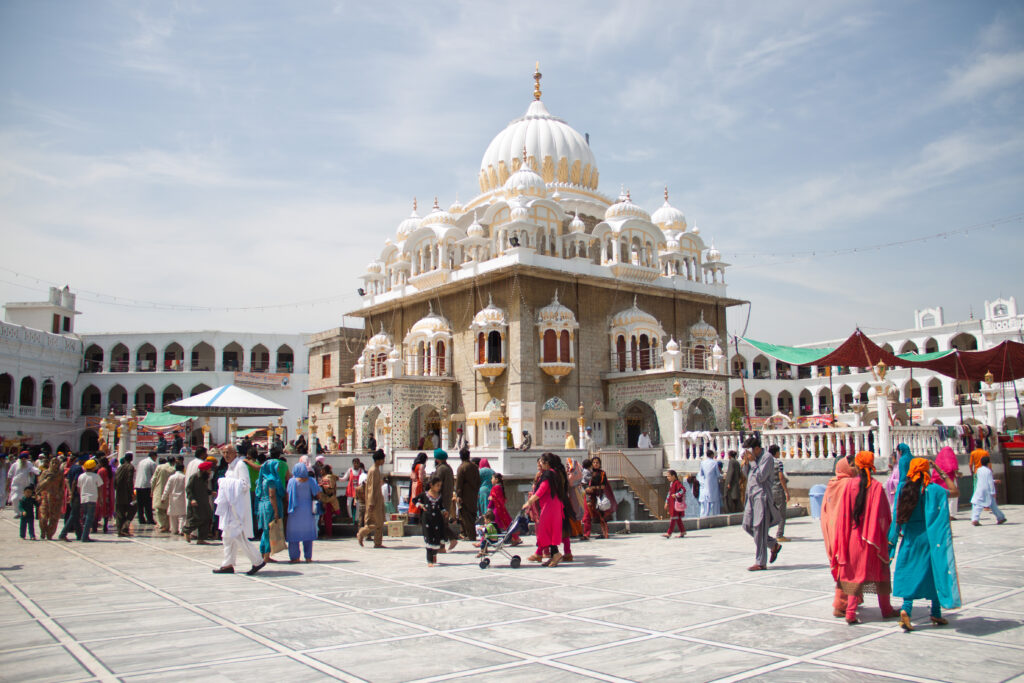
x,y
242,498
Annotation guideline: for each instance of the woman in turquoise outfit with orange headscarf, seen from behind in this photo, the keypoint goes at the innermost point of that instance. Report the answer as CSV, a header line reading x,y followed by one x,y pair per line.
x,y
926,568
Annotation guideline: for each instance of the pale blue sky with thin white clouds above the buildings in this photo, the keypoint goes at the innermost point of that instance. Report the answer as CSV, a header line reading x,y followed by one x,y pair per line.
x,y
250,158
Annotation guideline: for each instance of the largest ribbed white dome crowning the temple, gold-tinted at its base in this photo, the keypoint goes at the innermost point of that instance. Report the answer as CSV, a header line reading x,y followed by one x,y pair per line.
x,y
559,152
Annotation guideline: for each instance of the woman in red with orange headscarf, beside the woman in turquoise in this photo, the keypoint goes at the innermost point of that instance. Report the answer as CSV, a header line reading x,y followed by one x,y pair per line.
x,y
861,542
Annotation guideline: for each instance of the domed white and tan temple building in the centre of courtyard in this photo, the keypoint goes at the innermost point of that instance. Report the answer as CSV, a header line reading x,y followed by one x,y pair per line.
x,y
541,302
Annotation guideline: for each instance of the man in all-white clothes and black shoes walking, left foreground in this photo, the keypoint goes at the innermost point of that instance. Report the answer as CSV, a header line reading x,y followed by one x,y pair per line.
x,y
236,516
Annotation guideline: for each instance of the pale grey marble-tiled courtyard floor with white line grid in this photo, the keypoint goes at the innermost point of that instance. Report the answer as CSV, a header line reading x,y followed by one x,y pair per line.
x,y
634,608
